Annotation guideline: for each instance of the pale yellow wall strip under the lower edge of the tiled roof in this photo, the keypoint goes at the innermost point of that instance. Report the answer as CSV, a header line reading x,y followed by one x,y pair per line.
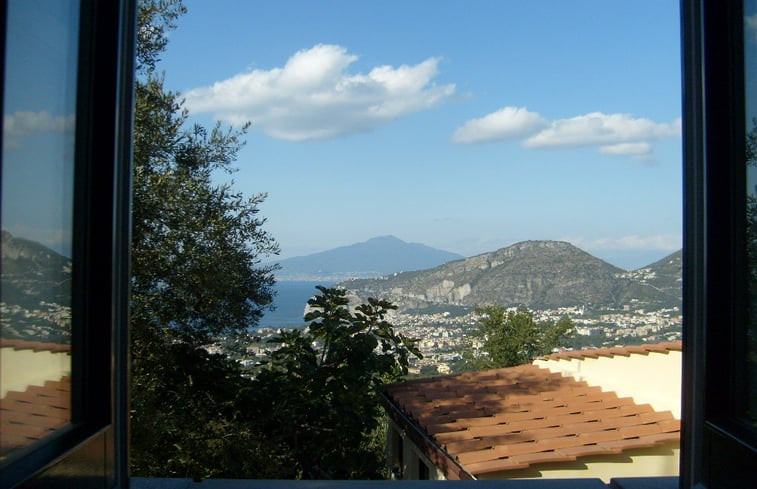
x,y
653,462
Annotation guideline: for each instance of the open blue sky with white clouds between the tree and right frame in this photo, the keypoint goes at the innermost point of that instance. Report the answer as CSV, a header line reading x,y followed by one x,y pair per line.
x,y
467,126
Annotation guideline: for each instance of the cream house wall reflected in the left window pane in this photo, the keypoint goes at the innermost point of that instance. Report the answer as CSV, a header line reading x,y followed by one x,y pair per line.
x,y
21,368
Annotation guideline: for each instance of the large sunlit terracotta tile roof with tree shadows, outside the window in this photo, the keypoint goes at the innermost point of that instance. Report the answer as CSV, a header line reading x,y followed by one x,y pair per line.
x,y
510,418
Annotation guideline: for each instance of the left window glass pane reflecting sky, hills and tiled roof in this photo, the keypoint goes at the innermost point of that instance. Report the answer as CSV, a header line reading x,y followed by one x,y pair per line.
x,y
39,108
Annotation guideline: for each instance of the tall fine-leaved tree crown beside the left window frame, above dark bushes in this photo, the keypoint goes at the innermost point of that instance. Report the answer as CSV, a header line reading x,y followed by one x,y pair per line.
x,y
196,245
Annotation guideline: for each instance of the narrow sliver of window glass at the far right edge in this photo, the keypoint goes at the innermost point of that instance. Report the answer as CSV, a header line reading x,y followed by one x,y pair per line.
x,y
750,96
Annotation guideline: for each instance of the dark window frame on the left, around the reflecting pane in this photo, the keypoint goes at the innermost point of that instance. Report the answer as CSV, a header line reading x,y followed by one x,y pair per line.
x,y
92,450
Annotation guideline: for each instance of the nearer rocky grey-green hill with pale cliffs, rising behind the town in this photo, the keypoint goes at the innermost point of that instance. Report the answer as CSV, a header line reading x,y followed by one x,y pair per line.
x,y
538,274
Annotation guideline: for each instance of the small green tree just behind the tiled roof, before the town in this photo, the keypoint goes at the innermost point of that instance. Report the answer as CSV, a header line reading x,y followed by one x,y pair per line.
x,y
508,338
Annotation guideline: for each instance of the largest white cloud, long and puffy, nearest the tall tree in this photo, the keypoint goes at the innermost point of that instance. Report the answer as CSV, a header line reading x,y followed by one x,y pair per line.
x,y
313,96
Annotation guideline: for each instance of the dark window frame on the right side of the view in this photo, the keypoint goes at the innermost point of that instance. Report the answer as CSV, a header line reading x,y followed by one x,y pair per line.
x,y
717,450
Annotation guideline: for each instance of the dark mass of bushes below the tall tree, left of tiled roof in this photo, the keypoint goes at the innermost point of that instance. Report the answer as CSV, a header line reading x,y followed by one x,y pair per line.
x,y
311,411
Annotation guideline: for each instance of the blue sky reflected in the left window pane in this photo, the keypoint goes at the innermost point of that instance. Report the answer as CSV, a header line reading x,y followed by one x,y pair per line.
x,y
38,123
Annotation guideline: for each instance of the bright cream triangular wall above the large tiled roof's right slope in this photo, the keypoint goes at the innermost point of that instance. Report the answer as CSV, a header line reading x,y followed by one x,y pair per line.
x,y
653,379
